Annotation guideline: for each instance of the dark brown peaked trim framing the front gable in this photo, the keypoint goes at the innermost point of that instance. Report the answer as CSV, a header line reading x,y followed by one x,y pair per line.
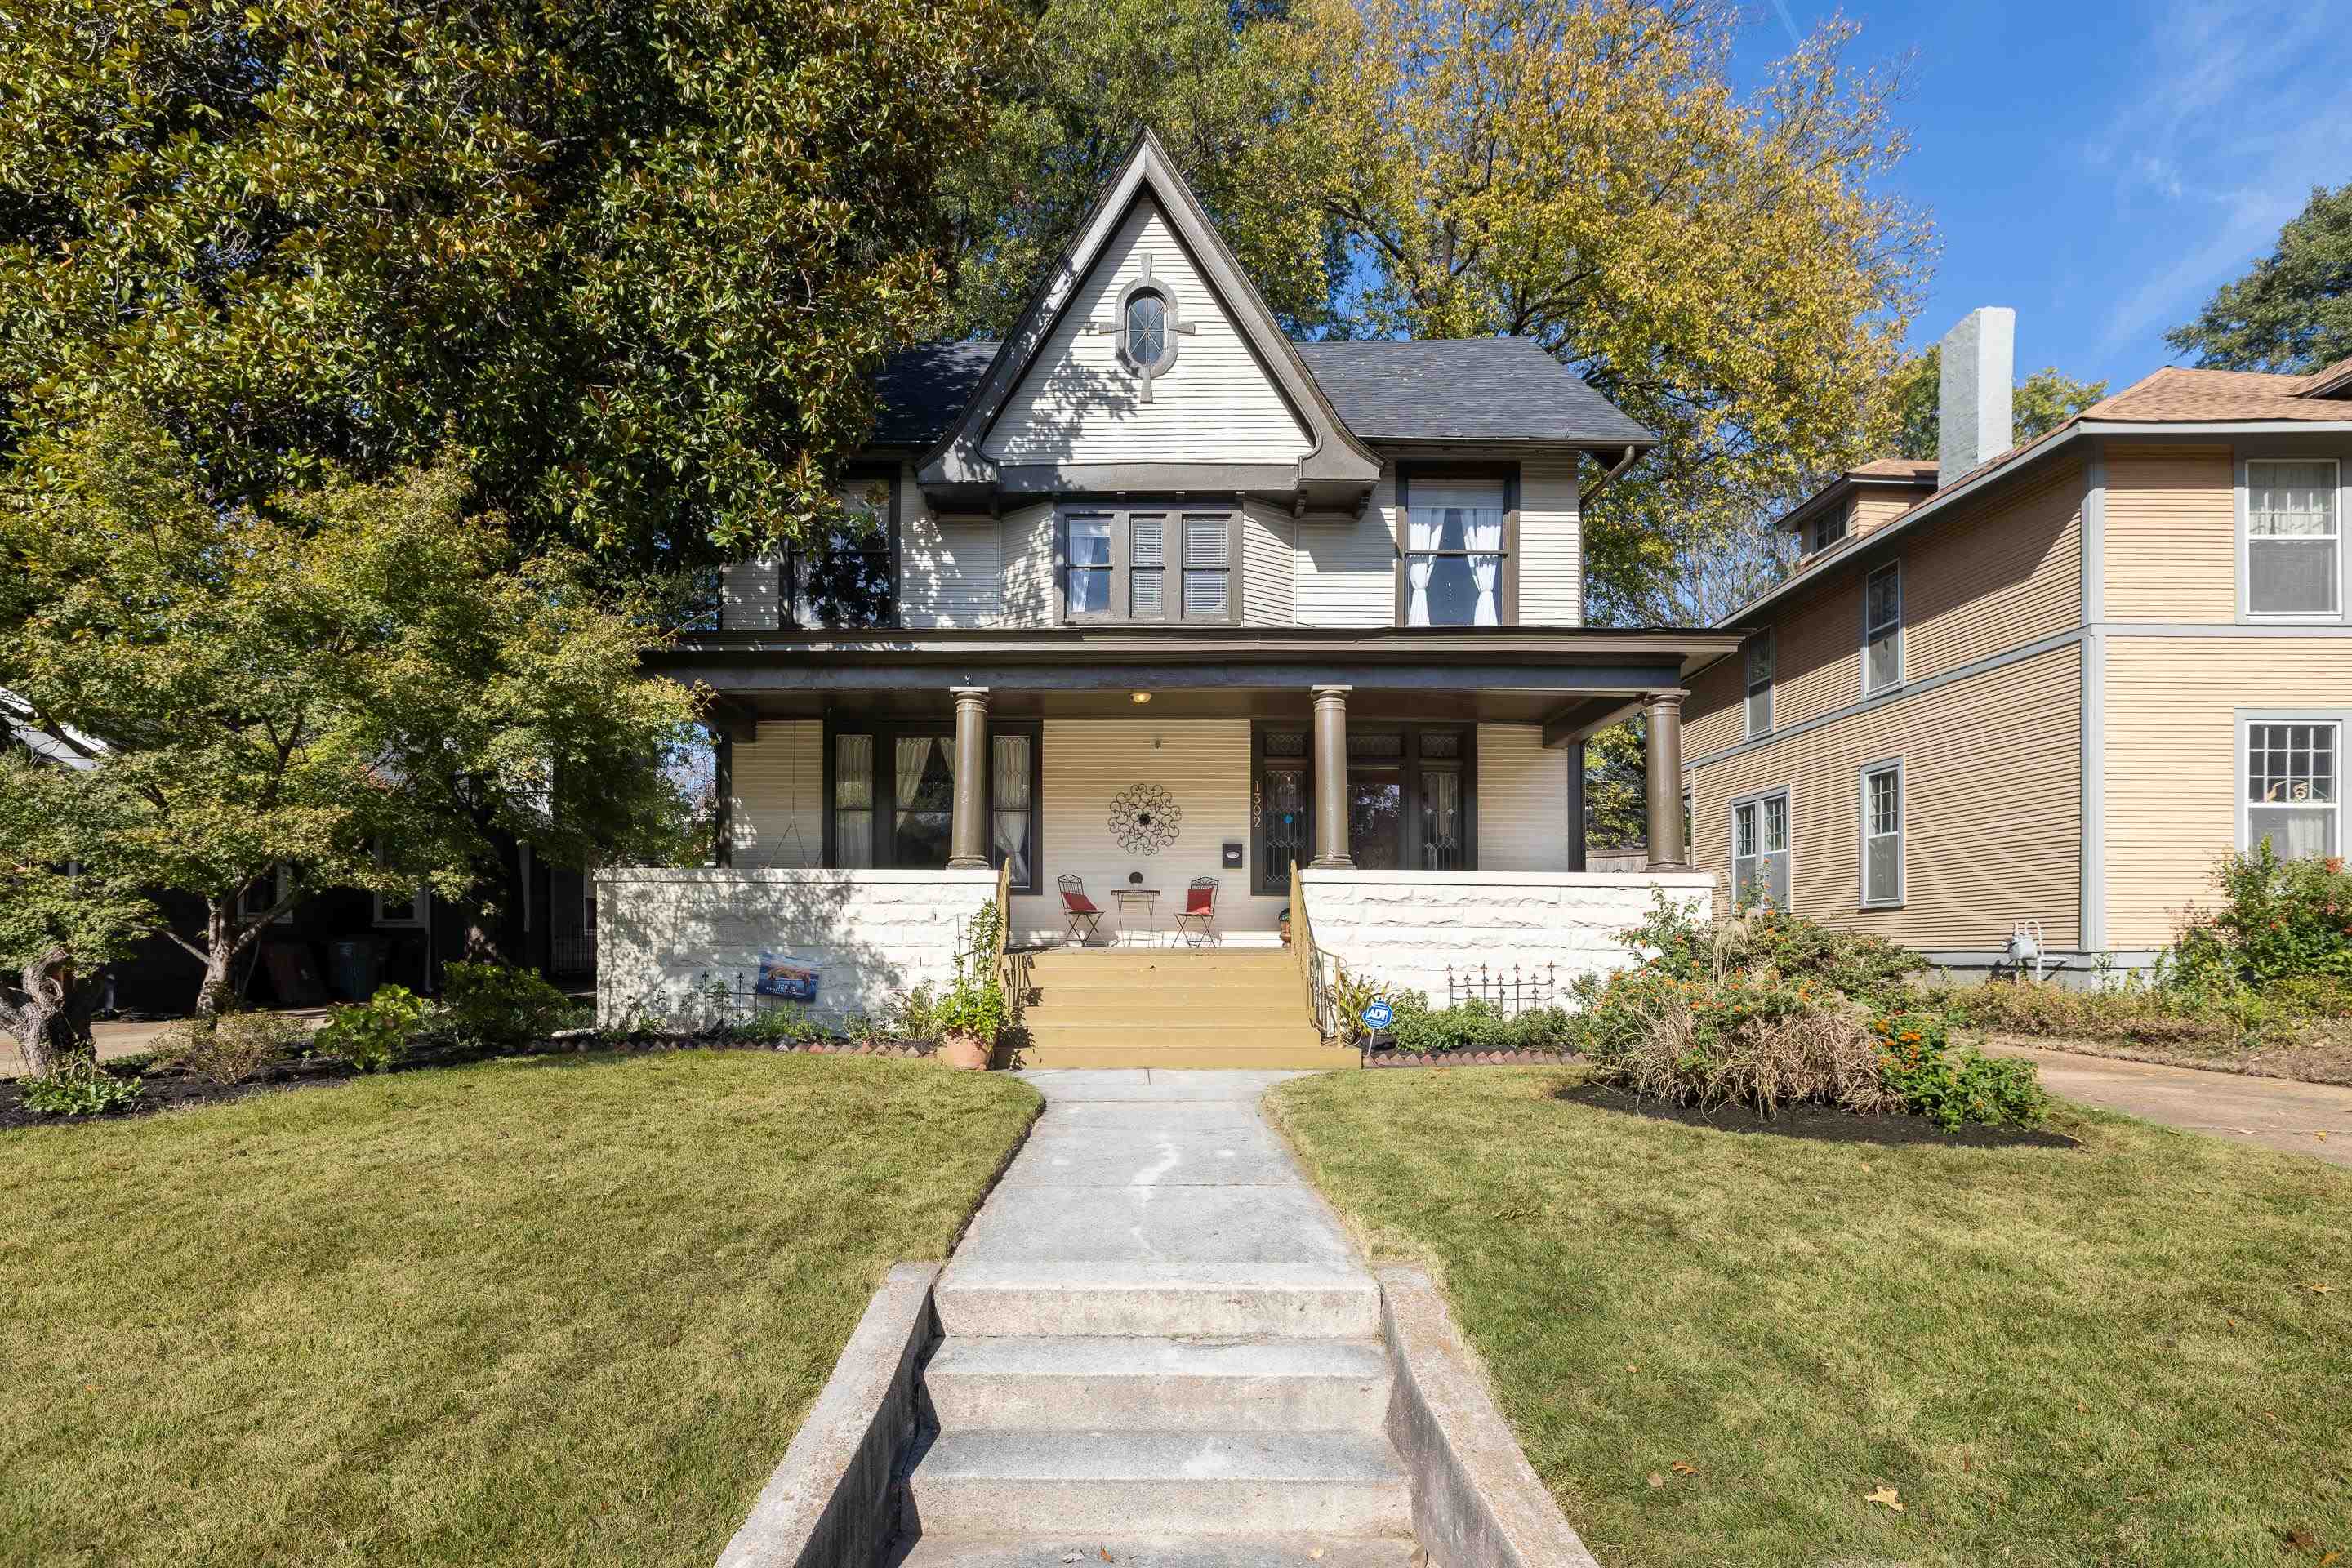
x,y
1335,457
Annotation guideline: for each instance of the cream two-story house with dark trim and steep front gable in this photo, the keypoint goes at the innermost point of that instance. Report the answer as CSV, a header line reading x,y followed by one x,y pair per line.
x,y
1154,594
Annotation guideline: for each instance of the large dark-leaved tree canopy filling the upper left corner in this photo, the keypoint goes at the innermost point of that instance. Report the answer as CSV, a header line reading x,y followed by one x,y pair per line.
x,y
634,262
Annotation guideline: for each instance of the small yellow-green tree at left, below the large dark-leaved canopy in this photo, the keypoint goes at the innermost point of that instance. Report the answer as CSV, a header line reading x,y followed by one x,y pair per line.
x,y
359,685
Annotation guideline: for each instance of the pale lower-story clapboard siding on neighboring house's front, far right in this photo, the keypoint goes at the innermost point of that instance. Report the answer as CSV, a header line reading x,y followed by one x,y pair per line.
x,y
2172,760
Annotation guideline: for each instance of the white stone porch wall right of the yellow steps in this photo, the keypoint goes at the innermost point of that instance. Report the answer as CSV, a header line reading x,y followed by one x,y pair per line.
x,y
1405,927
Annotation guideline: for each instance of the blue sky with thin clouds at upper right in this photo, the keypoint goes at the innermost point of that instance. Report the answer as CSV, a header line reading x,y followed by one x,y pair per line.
x,y
2099,166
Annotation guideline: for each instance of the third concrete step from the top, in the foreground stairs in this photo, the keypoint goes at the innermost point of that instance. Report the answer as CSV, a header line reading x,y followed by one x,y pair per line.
x,y
1203,1485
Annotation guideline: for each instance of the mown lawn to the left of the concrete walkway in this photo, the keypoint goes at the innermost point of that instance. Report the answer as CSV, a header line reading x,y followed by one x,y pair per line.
x,y
554,1311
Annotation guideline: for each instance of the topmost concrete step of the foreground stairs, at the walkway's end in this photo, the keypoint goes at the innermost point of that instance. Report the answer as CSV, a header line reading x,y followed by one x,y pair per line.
x,y
1027,1299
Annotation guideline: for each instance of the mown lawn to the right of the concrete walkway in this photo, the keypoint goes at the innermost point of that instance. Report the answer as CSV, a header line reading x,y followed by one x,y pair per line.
x,y
2104,1355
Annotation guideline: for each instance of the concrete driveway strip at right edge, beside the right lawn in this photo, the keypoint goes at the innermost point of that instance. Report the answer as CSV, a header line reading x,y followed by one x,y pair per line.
x,y
2273,1113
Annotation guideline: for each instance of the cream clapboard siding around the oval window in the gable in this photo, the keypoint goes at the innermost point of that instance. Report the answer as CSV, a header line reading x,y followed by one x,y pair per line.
x,y
1081,406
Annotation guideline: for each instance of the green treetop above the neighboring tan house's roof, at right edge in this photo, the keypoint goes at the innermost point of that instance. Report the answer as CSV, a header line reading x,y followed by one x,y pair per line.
x,y
2294,311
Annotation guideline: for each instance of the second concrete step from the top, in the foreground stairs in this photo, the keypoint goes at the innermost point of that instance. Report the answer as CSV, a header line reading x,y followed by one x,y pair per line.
x,y
1161,1386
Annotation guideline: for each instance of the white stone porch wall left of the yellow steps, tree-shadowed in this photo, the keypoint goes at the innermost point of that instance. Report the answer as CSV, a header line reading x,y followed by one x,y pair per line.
x,y
874,934
